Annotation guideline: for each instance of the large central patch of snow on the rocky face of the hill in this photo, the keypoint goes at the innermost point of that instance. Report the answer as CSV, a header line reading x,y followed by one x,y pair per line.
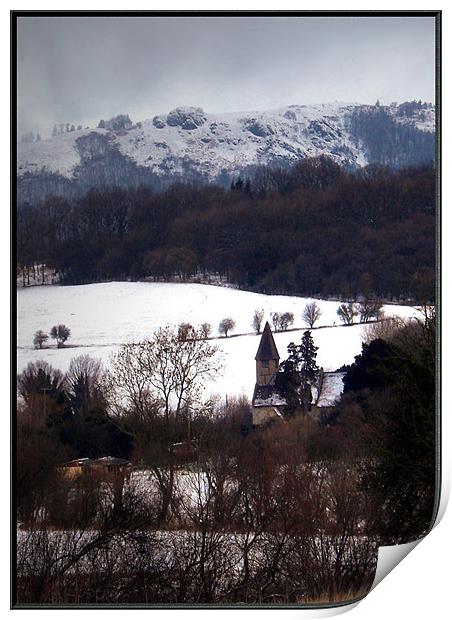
x,y
225,140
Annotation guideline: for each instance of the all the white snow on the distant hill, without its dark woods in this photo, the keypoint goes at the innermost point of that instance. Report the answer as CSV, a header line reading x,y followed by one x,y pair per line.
x,y
230,141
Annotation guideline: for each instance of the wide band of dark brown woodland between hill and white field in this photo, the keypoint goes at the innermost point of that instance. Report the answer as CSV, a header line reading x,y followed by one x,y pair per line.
x,y
315,230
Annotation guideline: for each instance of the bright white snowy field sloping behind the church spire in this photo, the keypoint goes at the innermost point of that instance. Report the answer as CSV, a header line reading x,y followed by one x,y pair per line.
x,y
103,316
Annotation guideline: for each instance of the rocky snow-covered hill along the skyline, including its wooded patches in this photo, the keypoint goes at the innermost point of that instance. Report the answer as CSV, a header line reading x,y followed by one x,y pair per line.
x,y
190,143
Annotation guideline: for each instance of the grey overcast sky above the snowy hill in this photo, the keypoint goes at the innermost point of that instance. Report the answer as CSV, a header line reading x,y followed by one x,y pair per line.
x,y
79,70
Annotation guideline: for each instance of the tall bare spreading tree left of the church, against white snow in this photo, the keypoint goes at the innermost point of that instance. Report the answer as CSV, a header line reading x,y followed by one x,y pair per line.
x,y
167,375
